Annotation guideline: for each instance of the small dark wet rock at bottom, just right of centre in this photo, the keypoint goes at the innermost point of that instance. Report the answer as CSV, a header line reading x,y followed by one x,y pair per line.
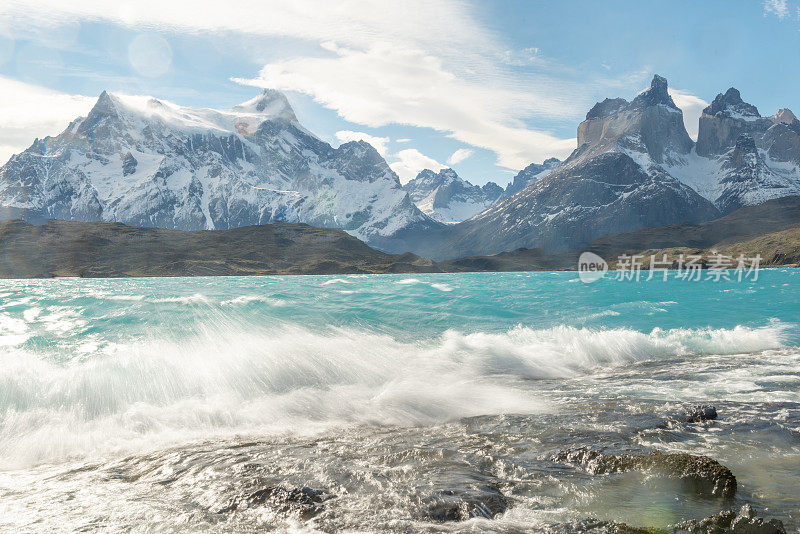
x,y
487,502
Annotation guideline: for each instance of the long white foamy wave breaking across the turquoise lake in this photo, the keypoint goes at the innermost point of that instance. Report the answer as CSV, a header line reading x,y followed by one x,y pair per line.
x,y
290,379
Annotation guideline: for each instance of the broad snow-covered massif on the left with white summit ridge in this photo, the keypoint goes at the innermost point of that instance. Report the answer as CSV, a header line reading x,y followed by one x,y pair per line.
x,y
145,162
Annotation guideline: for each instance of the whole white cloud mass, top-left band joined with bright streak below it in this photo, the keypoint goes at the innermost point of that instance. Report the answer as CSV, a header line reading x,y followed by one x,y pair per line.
x,y
426,63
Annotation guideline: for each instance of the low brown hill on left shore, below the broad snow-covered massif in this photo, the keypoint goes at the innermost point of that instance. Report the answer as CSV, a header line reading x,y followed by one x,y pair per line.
x,y
68,248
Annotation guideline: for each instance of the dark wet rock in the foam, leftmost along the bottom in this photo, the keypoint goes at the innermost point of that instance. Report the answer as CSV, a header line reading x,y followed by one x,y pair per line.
x,y
303,503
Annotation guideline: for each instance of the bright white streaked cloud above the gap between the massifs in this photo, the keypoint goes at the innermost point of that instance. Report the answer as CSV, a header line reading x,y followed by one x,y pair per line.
x,y
384,85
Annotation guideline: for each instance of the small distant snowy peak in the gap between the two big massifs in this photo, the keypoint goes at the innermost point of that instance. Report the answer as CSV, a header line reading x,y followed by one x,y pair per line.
x,y
448,198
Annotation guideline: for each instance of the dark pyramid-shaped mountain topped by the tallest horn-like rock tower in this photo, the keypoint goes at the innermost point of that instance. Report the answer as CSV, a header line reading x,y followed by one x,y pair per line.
x,y
612,182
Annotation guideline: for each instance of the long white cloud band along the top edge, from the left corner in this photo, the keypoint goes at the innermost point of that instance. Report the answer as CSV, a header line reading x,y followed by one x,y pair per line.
x,y
350,22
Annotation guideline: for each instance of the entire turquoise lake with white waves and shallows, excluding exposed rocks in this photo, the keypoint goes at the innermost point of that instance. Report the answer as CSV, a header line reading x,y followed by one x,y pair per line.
x,y
167,398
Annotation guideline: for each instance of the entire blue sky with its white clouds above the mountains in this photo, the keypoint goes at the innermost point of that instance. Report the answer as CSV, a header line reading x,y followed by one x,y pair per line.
x,y
485,87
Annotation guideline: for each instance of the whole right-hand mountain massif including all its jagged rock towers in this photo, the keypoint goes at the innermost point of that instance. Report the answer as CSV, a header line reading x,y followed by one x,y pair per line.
x,y
637,167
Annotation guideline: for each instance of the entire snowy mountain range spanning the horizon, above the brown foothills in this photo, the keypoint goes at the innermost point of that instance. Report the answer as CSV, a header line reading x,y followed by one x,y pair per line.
x,y
148,163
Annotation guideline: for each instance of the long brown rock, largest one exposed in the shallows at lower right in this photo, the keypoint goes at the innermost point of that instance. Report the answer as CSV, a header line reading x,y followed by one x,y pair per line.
x,y
702,474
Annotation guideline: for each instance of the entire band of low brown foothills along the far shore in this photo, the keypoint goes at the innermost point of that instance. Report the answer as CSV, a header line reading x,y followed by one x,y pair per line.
x,y
69,248
